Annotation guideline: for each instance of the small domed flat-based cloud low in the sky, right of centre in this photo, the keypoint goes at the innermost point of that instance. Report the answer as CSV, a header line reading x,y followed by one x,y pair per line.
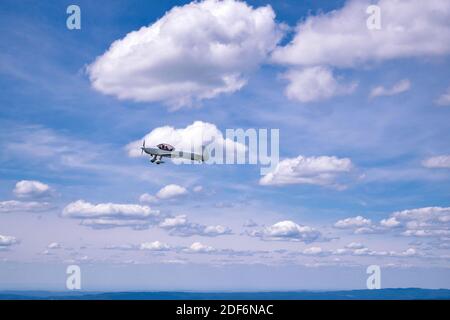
x,y
289,231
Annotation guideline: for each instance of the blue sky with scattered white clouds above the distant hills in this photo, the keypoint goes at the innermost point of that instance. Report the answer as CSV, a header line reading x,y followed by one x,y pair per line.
x,y
70,106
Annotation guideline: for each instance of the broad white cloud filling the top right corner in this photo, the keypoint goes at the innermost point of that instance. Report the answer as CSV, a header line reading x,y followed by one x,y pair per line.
x,y
340,38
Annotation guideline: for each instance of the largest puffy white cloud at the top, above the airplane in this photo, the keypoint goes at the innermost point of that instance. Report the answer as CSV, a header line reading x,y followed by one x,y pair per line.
x,y
193,52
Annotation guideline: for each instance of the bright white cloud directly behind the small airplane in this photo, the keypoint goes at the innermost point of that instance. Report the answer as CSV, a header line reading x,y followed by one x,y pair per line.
x,y
190,138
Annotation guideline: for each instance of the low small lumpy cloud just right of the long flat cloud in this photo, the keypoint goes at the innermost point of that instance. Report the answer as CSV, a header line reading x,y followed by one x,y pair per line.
x,y
181,226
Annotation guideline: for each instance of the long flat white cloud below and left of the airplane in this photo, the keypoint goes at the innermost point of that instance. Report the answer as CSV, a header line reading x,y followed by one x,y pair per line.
x,y
110,215
